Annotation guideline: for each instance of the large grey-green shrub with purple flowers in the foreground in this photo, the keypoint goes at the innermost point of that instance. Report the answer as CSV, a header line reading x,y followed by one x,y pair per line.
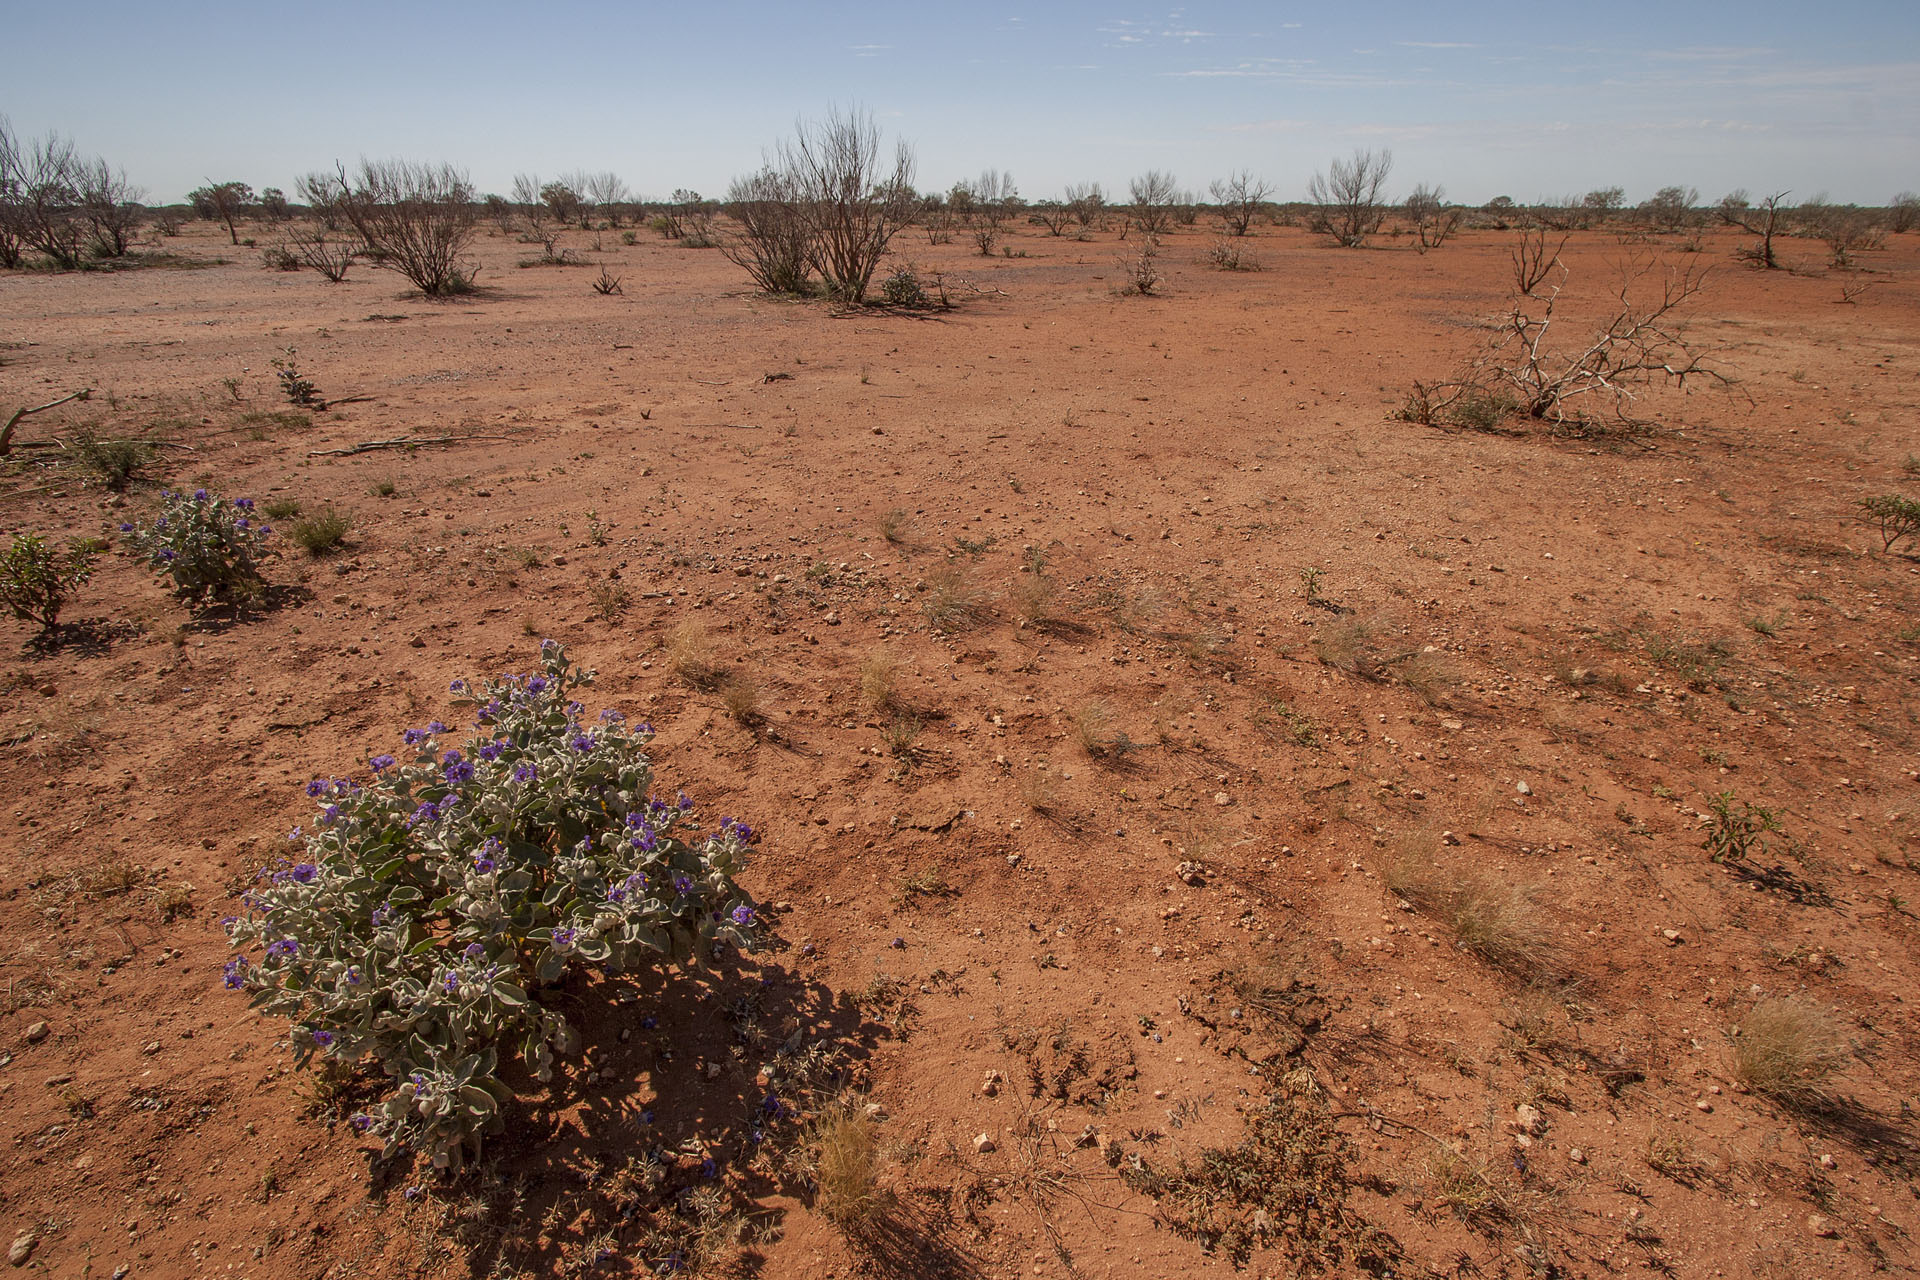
x,y
429,907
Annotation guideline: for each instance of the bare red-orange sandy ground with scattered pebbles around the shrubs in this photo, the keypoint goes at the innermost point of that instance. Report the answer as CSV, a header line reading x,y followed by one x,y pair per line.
x,y
1625,627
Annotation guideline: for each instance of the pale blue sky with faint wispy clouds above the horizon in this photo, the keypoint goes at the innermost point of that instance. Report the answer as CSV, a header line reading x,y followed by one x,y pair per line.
x,y
1525,101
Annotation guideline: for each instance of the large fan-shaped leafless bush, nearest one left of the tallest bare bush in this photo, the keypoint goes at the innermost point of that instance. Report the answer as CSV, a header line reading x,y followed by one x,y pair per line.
x,y
420,220
